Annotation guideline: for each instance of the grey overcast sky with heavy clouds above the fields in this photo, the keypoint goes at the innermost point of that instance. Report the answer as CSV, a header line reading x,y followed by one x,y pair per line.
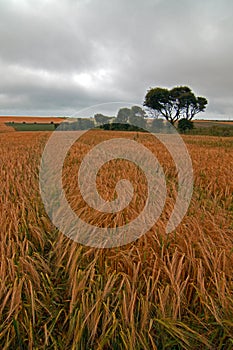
x,y
57,57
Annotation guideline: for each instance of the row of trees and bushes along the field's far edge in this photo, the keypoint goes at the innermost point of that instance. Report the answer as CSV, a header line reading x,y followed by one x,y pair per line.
x,y
176,107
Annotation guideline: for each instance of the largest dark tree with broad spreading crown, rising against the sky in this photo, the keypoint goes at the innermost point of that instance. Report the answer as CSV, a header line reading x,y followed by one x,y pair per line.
x,y
179,102
